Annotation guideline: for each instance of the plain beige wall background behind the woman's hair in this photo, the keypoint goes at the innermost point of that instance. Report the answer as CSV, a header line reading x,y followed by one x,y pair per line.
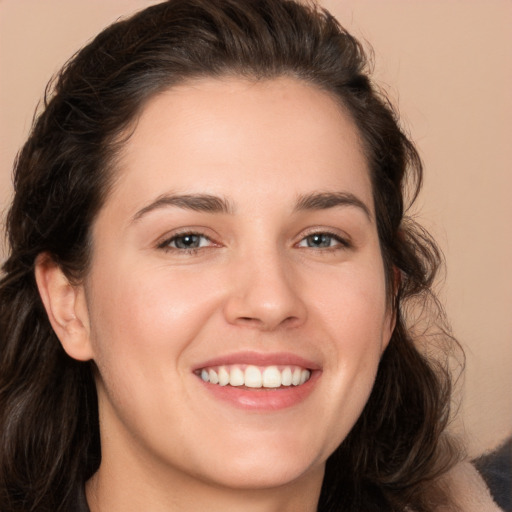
x,y
447,64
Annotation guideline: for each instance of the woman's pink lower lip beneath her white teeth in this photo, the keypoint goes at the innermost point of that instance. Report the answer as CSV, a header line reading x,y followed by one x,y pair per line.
x,y
263,399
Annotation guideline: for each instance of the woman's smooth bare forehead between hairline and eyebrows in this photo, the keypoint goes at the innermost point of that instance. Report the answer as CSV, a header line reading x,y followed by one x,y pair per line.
x,y
219,134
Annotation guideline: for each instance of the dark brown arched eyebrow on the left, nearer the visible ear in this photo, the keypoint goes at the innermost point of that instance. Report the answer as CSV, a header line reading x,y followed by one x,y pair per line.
x,y
197,202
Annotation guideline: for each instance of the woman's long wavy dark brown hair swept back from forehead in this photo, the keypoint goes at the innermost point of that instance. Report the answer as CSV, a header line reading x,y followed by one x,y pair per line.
x,y
49,436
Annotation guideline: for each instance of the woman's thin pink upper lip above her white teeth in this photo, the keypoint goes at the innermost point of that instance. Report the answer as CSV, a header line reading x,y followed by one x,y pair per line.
x,y
260,359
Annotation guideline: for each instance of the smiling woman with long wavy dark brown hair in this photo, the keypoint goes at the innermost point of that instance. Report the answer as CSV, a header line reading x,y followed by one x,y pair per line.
x,y
204,302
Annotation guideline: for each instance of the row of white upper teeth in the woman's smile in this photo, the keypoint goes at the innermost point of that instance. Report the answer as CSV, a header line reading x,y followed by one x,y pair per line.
x,y
255,376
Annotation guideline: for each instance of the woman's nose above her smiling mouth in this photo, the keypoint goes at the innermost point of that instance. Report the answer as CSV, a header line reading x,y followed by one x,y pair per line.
x,y
264,294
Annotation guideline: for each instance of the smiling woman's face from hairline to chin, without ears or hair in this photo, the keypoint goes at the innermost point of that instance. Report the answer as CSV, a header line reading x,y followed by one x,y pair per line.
x,y
238,245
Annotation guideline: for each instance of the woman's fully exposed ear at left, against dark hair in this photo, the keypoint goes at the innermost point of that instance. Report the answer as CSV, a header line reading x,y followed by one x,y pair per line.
x,y
65,306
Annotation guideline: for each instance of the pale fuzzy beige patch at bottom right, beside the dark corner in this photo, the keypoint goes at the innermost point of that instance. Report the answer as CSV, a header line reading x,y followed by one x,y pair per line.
x,y
468,490
